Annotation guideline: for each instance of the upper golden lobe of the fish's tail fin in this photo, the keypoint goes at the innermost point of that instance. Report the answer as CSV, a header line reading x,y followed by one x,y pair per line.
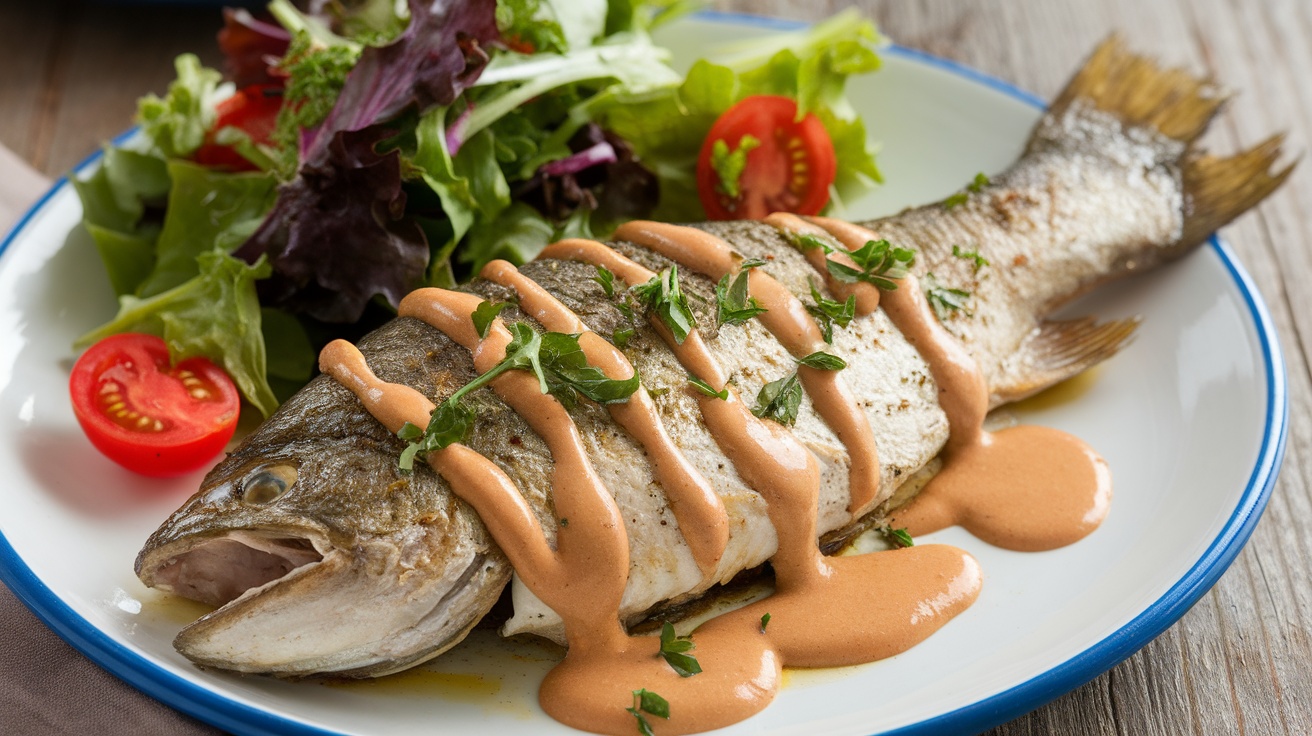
x,y
1142,94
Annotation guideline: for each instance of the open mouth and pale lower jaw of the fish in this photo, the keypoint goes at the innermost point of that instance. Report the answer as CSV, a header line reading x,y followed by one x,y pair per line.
x,y
298,607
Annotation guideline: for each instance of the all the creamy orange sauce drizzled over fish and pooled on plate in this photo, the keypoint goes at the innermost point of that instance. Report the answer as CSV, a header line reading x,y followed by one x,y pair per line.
x,y
826,612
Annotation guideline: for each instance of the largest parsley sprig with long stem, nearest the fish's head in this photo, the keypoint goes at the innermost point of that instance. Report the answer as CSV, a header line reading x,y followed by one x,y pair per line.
x,y
561,368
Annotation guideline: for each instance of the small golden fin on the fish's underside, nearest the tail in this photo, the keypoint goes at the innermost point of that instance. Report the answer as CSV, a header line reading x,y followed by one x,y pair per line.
x,y
1057,351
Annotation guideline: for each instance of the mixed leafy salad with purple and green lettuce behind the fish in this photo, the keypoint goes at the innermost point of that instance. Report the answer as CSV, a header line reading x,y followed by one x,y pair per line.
x,y
346,158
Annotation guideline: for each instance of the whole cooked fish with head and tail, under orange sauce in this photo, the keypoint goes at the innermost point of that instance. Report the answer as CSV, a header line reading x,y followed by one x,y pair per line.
x,y
327,558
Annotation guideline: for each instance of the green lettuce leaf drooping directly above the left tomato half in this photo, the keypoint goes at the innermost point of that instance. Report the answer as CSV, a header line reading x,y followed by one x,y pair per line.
x,y
215,316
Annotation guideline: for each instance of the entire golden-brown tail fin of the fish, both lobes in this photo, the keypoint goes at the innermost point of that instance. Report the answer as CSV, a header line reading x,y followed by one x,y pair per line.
x,y
1141,94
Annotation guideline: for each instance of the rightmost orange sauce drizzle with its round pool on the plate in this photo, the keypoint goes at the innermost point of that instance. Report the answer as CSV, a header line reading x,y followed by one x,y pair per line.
x,y
1027,489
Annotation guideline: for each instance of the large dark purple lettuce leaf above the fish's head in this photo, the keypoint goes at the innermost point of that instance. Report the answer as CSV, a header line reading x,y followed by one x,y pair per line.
x,y
339,234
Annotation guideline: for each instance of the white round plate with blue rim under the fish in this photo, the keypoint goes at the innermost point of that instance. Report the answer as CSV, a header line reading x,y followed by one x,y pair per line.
x,y
1191,418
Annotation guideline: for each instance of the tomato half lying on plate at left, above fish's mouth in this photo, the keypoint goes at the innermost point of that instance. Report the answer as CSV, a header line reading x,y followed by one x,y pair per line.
x,y
148,415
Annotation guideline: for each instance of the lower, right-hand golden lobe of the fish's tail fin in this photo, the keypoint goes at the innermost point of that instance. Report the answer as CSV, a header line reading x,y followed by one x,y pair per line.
x,y
1220,190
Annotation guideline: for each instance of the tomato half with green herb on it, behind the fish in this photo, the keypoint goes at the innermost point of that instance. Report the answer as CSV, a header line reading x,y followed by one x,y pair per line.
x,y
789,170
